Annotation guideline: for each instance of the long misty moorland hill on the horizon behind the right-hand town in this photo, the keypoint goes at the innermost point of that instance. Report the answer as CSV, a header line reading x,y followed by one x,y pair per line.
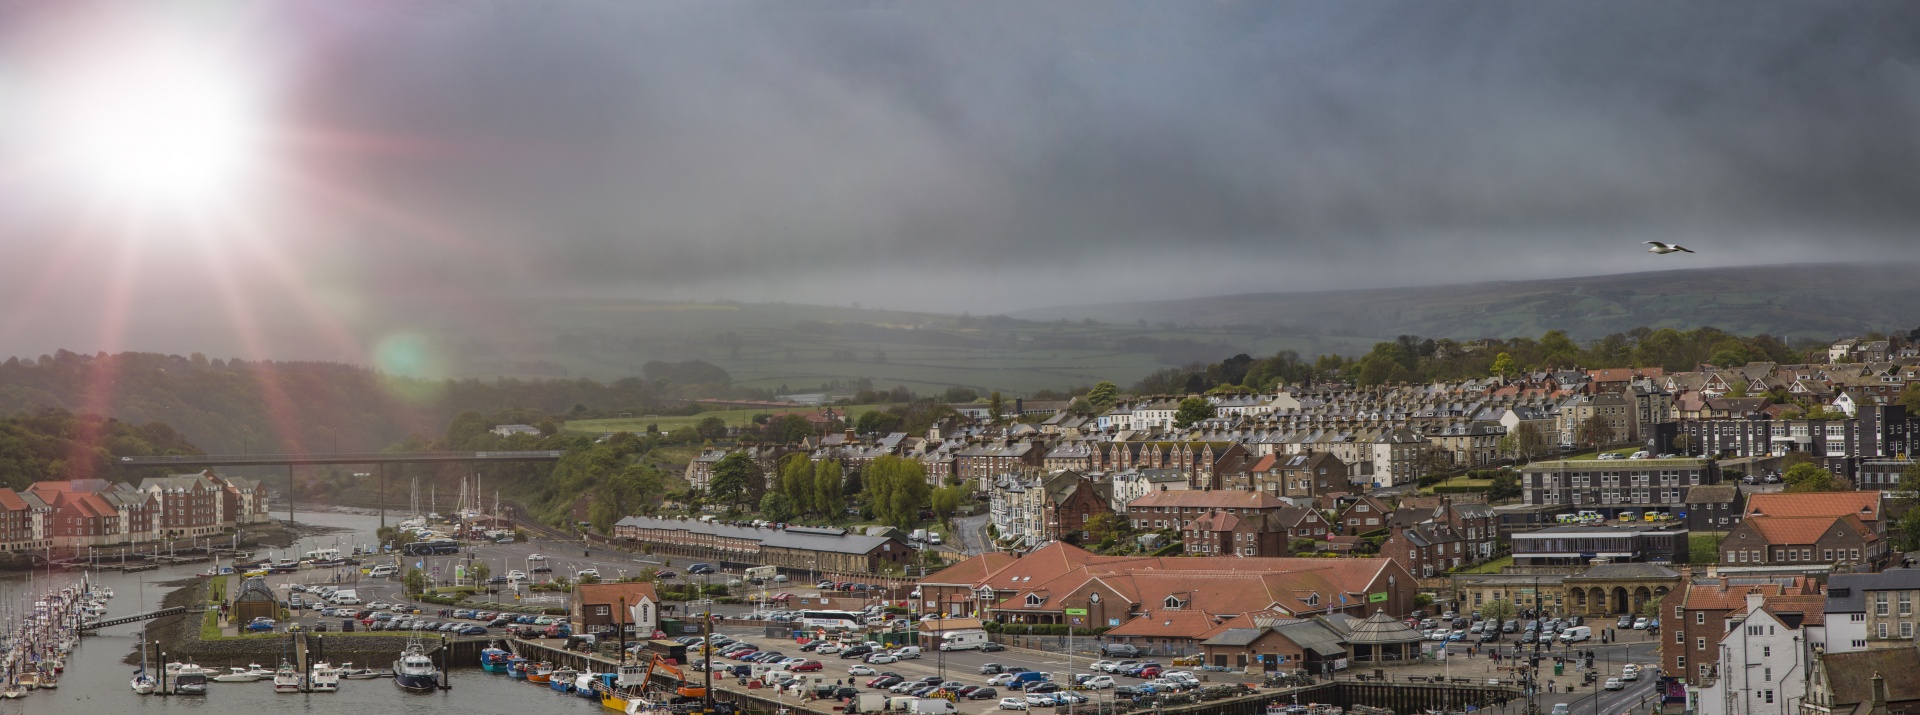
x,y
1785,301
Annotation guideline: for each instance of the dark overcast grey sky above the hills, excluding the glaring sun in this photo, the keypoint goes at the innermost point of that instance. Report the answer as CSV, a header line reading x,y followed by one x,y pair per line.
x,y
982,157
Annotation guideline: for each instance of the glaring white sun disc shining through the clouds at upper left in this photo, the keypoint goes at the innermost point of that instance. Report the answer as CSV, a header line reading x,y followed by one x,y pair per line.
x,y
162,130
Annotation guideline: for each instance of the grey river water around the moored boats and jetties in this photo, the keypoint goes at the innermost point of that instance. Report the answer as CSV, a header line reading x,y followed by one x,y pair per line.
x,y
97,678
